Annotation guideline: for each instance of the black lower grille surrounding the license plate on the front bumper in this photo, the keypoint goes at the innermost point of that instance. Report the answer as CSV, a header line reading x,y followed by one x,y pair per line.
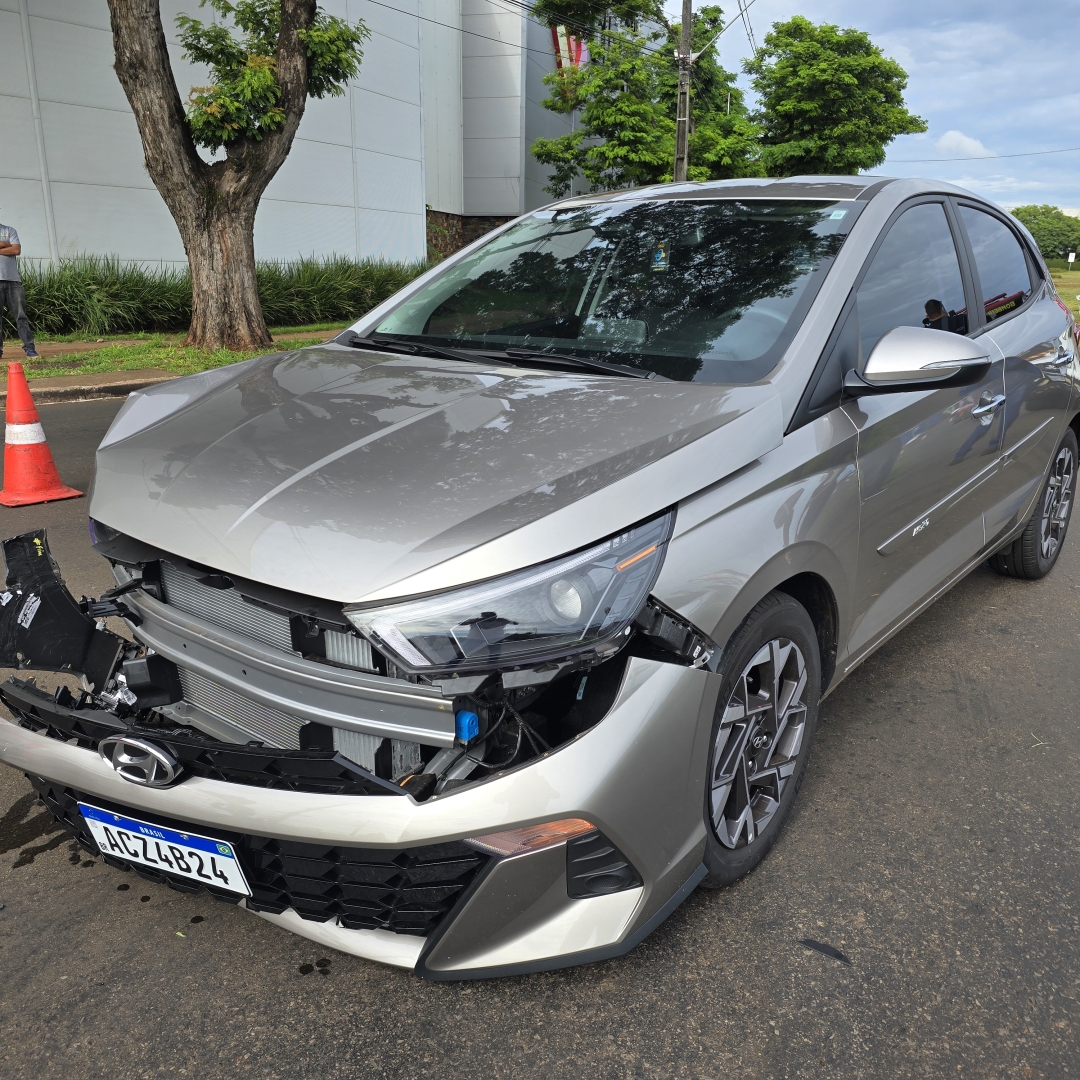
x,y
408,892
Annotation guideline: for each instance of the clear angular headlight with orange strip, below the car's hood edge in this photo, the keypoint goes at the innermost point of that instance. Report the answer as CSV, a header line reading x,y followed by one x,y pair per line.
x,y
546,613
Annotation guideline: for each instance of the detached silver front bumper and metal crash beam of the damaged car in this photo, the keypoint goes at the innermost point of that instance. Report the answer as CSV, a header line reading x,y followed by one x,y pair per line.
x,y
337,854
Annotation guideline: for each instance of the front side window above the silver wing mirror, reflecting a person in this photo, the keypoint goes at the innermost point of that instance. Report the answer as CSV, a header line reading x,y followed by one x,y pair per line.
x,y
914,280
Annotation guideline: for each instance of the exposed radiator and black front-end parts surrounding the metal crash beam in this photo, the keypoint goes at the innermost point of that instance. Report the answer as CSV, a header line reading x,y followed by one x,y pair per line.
x,y
504,720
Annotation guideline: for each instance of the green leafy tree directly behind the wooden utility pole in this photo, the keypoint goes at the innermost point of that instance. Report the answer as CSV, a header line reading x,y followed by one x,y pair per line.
x,y
626,102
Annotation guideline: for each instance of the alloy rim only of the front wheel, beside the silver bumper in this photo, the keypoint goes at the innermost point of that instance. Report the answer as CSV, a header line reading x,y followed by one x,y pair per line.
x,y
759,742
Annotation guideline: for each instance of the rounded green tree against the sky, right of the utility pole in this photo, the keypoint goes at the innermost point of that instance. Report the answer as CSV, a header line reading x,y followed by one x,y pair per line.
x,y
830,101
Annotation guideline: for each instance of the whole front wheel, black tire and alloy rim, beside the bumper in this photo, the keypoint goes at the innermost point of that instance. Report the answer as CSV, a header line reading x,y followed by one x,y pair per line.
x,y
762,736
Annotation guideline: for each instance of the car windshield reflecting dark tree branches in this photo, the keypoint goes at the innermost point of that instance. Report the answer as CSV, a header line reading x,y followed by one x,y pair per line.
x,y
707,292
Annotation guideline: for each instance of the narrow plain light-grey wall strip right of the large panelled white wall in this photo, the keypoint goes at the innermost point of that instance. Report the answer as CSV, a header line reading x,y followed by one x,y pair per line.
x,y
441,53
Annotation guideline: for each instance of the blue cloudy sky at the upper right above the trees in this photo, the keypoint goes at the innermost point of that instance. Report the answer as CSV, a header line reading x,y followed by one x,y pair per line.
x,y
991,79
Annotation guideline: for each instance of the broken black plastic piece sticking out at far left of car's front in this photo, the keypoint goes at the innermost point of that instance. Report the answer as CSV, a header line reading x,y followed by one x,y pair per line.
x,y
43,627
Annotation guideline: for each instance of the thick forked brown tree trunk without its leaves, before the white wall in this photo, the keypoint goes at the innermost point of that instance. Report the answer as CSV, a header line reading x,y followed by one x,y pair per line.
x,y
212,205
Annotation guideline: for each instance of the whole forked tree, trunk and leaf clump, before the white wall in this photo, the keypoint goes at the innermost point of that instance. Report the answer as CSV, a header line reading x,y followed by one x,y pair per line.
x,y
266,58
